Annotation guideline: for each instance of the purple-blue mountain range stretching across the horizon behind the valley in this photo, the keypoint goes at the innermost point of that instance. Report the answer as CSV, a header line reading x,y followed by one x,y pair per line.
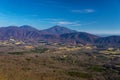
x,y
57,34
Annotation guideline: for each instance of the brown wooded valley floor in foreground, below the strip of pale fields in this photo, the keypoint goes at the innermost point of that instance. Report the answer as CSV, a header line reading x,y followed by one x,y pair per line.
x,y
45,64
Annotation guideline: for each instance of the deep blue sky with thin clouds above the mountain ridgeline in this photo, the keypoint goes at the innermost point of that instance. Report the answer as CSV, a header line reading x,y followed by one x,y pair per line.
x,y
94,16
